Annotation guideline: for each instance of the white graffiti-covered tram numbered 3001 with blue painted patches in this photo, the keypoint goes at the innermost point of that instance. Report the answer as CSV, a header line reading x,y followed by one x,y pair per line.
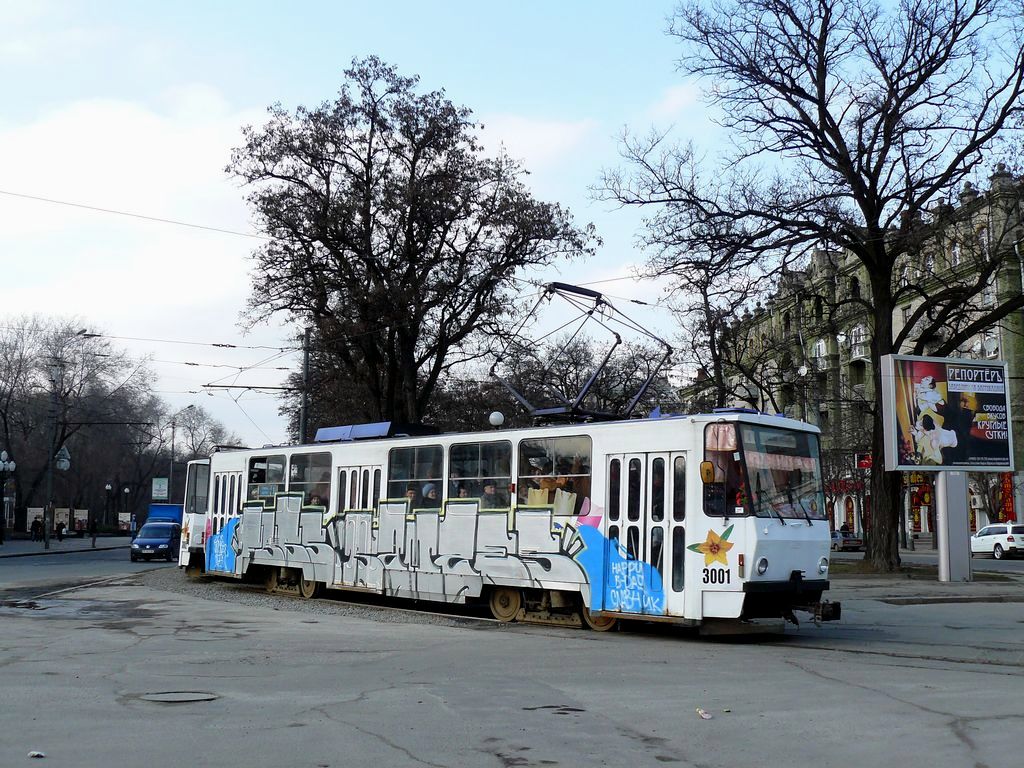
x,y
685,519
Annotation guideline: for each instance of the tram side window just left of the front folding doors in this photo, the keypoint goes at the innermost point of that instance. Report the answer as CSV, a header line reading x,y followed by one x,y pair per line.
x,y
556,472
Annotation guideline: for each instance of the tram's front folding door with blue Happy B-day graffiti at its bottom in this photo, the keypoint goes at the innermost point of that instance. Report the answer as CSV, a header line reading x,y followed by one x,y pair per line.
x,y
647,534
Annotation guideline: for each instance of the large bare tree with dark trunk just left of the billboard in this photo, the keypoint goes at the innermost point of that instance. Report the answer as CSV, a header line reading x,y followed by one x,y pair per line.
x,y
851,122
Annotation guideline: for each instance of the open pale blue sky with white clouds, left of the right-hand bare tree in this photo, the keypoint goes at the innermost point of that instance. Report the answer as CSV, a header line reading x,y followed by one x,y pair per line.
x,y
136,108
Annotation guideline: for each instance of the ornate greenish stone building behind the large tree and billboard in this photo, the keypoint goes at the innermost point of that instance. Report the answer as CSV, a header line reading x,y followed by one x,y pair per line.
x,y
809,347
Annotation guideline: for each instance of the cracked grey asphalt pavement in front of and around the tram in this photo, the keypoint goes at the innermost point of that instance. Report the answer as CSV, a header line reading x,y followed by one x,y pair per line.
x,y
918,673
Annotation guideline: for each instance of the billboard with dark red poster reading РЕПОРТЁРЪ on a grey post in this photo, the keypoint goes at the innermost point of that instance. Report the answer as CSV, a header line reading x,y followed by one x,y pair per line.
x,y
945,413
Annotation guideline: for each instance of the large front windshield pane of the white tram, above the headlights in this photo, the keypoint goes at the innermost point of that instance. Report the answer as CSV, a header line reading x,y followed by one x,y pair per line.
x,y
784,473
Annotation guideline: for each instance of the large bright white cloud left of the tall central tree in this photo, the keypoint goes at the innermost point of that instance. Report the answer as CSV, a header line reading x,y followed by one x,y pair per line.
x,y
129,277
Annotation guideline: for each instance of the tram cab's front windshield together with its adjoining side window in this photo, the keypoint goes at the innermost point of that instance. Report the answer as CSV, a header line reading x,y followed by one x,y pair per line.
x,y
778,473
